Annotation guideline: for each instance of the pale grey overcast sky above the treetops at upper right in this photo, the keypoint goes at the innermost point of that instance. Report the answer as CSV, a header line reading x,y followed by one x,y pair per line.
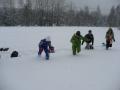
x,y
105,5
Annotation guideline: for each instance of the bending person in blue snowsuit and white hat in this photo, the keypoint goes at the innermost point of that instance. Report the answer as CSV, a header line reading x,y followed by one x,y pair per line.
x,y
45,44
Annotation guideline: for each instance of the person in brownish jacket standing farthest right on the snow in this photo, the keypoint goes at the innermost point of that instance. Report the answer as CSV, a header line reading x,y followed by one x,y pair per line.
x,y
109,38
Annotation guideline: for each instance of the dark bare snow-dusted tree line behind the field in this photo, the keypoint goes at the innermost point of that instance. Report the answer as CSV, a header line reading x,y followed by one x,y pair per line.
x,y
55,12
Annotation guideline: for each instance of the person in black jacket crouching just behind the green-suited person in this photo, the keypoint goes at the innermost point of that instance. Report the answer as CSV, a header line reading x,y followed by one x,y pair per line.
x,y
89,40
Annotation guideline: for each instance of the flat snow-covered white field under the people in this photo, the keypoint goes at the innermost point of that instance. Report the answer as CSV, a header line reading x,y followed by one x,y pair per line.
x,y
97,69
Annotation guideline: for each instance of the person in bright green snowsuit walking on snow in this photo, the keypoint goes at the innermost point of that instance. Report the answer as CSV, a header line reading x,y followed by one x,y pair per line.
x,y
76,41
